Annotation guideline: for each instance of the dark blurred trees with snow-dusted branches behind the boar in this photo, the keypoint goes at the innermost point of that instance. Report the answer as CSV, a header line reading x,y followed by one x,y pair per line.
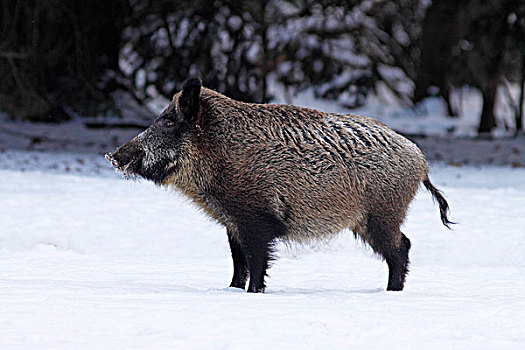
x,y
62,58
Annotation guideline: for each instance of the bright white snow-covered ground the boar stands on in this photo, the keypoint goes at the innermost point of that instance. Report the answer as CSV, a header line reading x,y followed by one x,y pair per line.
x,y
91,261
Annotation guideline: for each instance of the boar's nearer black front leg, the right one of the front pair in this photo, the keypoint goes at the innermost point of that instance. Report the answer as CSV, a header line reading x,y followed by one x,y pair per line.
x,y
257,233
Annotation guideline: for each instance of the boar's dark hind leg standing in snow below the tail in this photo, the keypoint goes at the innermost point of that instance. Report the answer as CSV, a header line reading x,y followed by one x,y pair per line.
x,y
386,239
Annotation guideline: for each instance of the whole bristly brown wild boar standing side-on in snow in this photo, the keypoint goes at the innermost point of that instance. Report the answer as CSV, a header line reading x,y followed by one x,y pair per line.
x,y
279,172
